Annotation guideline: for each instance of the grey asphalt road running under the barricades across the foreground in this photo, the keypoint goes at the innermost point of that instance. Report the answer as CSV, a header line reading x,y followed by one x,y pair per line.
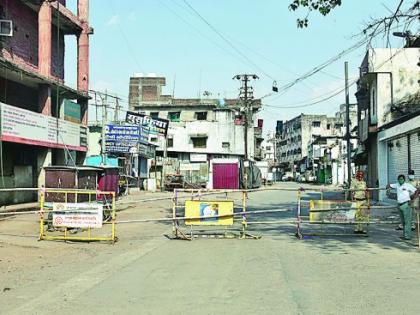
x,y
146,273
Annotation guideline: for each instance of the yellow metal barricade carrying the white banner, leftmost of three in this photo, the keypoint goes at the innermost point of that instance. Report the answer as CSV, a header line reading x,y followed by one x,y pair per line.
x,y
56,212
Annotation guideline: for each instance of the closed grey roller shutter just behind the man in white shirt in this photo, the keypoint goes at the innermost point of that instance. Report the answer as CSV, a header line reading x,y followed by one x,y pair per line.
x,y
397,158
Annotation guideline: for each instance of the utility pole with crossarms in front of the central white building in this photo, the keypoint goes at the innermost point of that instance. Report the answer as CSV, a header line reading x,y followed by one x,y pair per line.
x,y
246,95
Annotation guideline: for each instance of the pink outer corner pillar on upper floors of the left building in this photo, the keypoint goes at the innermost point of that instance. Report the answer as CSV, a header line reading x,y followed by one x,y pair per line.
x,y
83,47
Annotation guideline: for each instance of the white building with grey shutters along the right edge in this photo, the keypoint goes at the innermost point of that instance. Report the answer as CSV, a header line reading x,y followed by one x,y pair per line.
x,y
388,107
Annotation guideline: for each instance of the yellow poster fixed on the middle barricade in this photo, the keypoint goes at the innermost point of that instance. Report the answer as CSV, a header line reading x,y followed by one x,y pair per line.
x,y
209,212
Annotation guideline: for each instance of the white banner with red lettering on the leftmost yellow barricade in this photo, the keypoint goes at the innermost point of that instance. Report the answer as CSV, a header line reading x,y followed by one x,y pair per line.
x,y
77,215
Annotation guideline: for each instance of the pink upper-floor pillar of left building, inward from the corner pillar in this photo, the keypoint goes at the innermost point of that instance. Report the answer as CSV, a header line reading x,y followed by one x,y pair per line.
x,y
44,39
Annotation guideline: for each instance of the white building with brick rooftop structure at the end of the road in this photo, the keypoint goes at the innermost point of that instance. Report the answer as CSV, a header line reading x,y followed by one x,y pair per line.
x,y
200,130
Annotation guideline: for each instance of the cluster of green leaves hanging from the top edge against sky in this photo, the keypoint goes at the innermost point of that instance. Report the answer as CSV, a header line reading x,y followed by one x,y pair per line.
x,y
324,7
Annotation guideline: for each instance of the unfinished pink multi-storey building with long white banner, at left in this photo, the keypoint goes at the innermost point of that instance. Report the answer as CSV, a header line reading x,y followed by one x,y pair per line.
x,y
43,121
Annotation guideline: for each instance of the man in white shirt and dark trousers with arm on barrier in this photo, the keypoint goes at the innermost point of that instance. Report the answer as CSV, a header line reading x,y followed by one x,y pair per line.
x,y
405,194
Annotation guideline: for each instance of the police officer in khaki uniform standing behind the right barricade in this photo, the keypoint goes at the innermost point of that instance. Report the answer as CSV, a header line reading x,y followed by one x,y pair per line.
x,y
359,195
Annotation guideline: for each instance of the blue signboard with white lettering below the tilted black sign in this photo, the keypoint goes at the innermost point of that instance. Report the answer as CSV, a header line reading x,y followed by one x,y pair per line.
x,y
122,139
